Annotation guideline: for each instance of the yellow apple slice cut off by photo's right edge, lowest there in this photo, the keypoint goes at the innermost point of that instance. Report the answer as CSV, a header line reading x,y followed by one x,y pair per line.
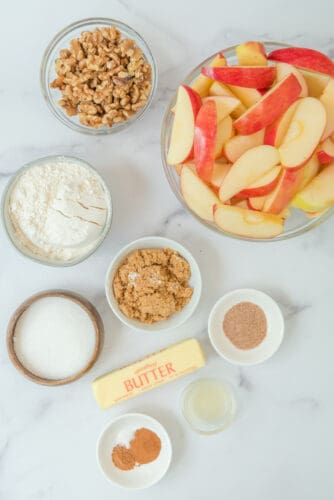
x,y
319,193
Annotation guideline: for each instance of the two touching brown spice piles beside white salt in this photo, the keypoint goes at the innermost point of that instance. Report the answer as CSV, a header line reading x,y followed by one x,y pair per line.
x,y
144,448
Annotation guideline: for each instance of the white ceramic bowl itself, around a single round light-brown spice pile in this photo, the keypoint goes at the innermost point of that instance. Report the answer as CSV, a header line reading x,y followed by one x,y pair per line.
x,y
275,327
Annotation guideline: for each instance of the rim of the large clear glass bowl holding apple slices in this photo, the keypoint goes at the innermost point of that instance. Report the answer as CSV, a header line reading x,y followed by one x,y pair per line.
x,y
312,223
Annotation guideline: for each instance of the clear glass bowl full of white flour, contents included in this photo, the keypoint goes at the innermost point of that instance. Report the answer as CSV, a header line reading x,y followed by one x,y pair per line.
x,y
57,210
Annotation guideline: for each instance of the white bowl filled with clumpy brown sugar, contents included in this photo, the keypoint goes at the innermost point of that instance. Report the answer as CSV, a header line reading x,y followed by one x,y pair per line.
x,y
153,284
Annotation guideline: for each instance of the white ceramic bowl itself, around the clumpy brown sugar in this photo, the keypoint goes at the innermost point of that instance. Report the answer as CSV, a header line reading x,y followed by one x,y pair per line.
x,y
195,281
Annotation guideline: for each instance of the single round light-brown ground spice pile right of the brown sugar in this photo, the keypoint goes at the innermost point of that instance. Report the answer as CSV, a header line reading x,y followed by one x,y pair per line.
x,y
245,325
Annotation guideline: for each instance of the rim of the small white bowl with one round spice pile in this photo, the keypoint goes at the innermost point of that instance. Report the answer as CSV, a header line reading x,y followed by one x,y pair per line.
x,y
254,292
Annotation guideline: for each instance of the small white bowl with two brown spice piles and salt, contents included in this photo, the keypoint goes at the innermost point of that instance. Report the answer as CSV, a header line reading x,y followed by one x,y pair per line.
x,y
134,451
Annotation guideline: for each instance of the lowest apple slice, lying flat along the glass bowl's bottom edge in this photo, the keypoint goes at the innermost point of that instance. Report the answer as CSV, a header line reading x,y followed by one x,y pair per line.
x,y
247,223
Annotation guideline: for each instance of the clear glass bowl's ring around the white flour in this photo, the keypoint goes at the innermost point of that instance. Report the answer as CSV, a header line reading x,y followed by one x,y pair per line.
x,y
11,232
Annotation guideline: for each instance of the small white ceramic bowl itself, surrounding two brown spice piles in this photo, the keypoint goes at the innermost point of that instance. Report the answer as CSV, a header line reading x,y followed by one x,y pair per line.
x,y
140,477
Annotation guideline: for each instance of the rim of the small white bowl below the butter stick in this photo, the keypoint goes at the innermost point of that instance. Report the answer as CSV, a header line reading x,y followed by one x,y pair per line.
x,y
166,438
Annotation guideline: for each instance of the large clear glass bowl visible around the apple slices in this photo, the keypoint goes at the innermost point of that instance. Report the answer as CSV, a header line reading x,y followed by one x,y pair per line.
x,y
297,223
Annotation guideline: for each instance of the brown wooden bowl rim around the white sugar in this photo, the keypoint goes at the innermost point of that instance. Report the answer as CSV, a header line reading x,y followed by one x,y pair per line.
x,y
82,302
